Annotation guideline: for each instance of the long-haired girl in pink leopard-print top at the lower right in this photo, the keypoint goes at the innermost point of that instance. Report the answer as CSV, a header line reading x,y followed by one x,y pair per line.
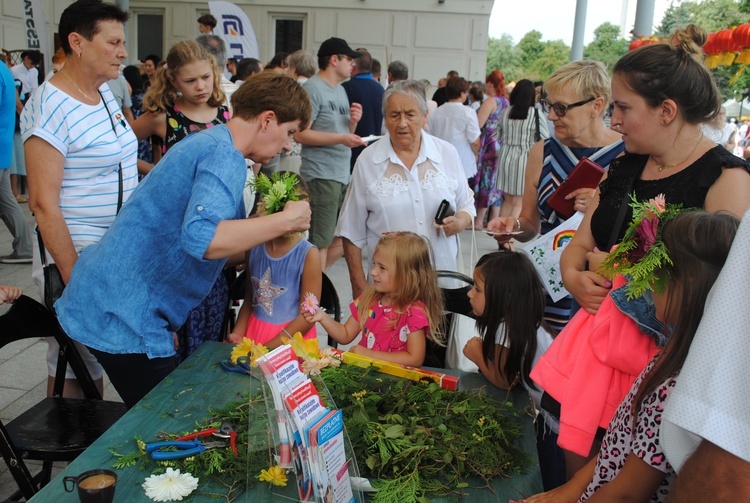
x,y
631,464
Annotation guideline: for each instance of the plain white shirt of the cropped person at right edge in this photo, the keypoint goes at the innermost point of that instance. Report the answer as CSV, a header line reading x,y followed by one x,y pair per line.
x,y
709,400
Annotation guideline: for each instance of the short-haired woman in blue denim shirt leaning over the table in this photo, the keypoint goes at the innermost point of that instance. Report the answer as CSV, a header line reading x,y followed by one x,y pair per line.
x,y
130,291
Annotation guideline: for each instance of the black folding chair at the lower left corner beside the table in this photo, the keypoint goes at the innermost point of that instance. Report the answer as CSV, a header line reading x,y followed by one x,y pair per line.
x,y
55,429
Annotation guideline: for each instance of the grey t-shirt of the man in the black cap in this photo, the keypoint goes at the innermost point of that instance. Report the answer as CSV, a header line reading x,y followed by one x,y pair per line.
x,y
330,114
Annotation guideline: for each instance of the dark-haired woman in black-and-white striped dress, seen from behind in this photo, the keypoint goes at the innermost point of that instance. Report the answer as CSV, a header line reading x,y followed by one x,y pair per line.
x,y
520,127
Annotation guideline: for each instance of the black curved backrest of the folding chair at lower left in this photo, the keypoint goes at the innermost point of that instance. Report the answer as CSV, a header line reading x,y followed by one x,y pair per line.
x,y
28,319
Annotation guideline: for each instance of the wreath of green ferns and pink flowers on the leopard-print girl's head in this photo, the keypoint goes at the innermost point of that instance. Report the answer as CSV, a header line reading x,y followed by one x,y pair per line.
x,y
641,254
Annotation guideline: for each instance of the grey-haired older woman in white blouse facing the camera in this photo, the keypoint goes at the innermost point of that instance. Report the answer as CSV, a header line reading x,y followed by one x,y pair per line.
x,y
399,182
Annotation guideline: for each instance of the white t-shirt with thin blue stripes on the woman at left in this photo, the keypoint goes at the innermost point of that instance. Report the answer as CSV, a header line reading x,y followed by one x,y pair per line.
x,y
83,134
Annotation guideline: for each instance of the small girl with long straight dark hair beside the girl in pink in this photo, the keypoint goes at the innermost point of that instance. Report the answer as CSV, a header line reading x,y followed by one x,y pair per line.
x,y
508,302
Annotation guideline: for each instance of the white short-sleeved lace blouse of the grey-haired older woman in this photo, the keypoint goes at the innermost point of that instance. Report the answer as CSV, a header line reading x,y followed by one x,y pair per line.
x,y
385,196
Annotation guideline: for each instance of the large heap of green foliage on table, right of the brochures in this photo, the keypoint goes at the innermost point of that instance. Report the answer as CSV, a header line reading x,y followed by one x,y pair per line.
x,y
416,440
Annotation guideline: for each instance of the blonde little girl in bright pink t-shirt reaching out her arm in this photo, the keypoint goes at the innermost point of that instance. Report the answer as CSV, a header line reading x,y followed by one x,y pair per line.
x,y
401,307
